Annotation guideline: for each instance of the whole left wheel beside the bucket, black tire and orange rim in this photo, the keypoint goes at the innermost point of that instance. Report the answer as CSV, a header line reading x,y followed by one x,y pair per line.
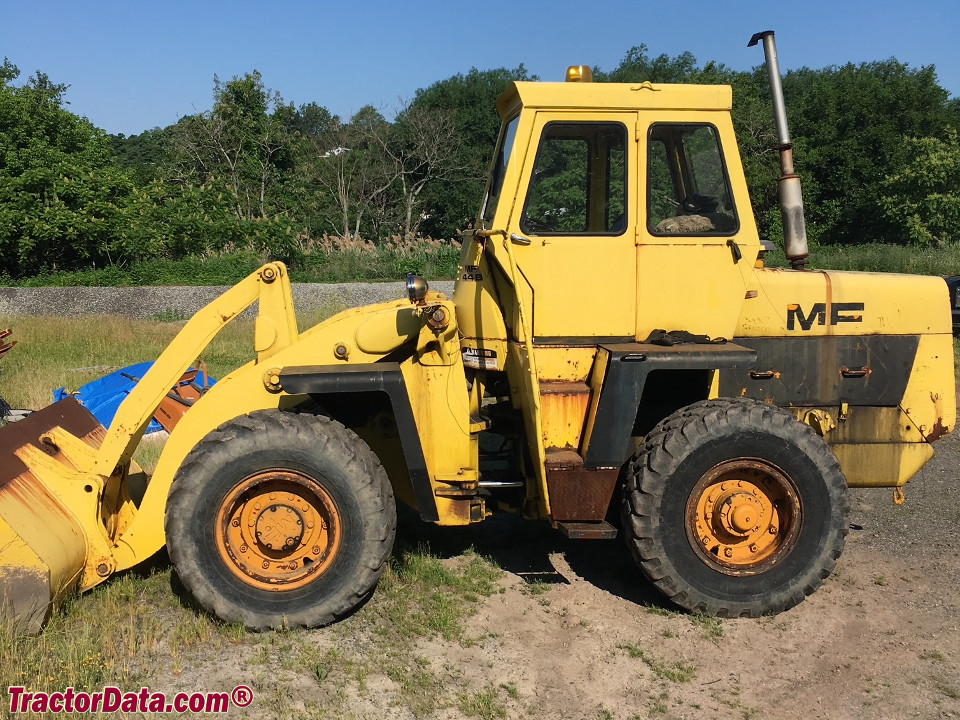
x,y
277,519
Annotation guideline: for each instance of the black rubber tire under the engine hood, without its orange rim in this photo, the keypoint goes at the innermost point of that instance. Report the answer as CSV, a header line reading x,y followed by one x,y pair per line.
x,y
673,457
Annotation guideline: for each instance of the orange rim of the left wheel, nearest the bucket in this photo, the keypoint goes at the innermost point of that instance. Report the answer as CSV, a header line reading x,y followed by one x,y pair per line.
x,y
278,530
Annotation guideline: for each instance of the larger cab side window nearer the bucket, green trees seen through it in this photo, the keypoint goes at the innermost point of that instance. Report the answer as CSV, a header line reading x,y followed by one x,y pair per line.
x,y
579,181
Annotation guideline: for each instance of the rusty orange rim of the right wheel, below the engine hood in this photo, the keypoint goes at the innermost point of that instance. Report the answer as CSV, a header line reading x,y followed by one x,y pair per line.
x,y
743,516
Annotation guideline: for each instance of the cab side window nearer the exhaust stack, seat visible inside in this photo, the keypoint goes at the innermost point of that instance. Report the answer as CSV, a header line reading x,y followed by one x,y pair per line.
x,y
688,192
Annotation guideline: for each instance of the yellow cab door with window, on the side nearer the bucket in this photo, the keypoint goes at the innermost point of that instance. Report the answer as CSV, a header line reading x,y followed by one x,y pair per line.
x,y
572,228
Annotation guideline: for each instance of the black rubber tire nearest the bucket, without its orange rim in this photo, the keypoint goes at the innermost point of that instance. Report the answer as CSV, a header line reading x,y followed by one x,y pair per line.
x,y
316,445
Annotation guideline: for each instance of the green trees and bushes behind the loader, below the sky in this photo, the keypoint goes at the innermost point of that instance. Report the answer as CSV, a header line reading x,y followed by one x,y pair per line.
x,y
875,146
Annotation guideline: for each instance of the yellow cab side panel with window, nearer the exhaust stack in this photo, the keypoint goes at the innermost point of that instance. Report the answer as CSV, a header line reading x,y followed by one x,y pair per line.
x,y
697,239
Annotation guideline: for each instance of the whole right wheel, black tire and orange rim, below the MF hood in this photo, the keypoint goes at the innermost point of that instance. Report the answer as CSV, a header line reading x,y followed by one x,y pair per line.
x,y
733,508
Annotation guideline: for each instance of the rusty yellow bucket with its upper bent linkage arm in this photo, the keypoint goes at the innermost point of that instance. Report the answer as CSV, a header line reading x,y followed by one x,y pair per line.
x,y
64,505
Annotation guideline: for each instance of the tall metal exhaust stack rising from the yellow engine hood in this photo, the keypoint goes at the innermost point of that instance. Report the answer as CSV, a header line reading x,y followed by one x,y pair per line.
x,y
791,197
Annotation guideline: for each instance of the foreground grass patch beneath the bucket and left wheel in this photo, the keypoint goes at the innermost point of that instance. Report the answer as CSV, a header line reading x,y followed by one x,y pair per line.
x,y
135,626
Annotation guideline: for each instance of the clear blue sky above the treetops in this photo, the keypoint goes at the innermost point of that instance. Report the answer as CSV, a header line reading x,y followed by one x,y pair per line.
x,y
133,66
